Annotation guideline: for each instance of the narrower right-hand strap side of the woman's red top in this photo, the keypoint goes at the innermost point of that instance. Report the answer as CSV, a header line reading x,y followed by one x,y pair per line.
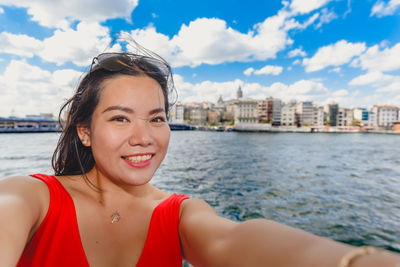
x,y
162,246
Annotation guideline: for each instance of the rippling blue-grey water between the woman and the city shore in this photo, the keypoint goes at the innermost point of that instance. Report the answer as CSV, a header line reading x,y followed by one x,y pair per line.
x,y
344,186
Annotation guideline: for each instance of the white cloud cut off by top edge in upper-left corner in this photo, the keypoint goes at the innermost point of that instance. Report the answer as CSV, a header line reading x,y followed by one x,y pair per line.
x,y
60,14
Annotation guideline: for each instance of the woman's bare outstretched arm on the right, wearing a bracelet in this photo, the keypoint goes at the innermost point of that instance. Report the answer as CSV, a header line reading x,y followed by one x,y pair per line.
x,y
209,240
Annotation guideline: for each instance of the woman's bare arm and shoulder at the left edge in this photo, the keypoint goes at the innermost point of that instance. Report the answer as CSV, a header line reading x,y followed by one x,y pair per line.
x,y
21,205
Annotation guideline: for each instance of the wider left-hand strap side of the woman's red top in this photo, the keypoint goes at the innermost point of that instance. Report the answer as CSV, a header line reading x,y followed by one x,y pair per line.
x,y
57,241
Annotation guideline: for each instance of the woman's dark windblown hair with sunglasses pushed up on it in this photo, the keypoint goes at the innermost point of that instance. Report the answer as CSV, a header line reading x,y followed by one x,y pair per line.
x,y
70,156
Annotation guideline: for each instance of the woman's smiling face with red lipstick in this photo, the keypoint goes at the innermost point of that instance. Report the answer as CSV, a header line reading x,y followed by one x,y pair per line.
x,y
129,133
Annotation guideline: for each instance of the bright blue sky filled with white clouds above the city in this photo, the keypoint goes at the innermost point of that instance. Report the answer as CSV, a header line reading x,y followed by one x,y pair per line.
x,y
325,51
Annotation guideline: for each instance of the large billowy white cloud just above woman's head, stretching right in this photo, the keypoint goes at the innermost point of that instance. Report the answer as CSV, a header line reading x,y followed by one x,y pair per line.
x,y
211,41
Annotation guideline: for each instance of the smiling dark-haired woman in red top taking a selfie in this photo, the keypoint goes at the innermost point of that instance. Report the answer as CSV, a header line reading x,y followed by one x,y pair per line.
x,y
100,209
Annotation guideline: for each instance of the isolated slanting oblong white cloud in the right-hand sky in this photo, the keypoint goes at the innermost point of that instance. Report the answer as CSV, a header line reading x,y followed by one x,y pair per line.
x,y
333,55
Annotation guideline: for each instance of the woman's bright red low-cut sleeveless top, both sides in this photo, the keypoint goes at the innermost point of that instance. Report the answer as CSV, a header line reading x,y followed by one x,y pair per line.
x,y
57,241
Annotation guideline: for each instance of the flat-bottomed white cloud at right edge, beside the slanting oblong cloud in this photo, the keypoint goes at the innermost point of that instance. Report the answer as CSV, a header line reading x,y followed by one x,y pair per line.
x,y
375,59
